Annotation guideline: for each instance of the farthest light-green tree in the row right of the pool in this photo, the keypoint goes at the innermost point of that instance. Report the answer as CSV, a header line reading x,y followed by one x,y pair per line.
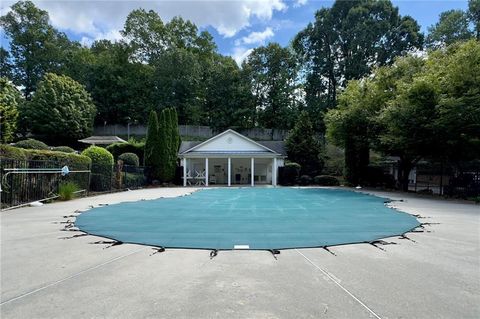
x,y
353,126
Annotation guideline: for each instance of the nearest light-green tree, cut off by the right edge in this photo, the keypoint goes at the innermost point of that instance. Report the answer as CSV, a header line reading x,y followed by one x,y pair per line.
x,y
456,70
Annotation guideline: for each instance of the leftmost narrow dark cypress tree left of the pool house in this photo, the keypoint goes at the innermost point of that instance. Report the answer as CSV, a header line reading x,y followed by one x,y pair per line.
x,y
151,157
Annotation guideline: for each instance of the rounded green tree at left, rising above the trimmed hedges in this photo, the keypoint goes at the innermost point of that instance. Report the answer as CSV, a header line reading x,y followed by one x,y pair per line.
x,y
61,110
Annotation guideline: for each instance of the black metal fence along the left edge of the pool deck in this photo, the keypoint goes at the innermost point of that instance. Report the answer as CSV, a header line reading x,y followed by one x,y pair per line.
x,y
24,181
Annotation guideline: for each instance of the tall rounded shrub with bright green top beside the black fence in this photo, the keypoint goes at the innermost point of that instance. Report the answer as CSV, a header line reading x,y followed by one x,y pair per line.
x,y
102,168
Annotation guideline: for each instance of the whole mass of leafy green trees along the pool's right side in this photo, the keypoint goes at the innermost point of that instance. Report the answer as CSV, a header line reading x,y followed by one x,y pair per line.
x,y
417,108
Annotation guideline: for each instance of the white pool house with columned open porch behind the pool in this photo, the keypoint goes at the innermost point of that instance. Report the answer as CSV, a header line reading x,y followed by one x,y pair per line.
x,y
231,158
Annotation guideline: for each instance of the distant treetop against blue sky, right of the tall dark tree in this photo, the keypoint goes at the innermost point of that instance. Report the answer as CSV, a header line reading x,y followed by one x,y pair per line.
x,y
452,26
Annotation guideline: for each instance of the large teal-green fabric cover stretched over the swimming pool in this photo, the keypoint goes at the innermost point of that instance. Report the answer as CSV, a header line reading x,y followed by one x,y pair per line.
x,y
253,218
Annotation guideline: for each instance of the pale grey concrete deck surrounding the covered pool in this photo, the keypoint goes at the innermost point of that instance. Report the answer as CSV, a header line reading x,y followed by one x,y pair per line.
x,y
44,276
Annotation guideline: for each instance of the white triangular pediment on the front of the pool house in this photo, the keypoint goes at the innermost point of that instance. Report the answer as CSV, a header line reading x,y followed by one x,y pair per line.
x,y
229,141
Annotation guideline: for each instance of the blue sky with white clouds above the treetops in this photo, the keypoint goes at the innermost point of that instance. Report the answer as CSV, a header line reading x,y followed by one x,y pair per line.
x,y
237,25
